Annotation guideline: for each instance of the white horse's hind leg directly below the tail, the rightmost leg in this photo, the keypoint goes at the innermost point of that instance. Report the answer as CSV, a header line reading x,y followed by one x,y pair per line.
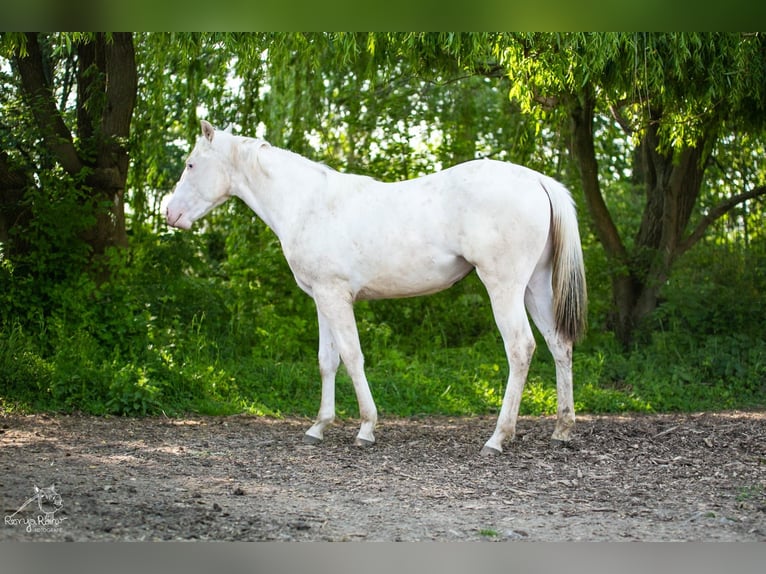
x,y
539,303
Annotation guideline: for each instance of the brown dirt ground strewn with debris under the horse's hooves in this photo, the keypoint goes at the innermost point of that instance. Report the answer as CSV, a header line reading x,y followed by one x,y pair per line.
x,y
651,478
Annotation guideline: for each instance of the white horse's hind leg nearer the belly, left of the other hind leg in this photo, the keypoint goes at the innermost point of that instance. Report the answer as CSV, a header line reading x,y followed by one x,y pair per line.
x,y
508,308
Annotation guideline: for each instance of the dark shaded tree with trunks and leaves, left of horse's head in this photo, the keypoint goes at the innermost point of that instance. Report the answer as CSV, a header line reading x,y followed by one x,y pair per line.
x,y
78,92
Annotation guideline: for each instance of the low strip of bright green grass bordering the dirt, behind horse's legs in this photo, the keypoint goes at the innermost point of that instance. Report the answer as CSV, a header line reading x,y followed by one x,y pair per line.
x,y
196,375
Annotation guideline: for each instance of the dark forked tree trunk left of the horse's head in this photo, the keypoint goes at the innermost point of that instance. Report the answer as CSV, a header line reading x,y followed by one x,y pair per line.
x,y
106,93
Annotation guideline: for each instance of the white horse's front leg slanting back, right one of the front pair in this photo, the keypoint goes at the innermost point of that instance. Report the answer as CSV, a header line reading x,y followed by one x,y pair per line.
x,y
337,314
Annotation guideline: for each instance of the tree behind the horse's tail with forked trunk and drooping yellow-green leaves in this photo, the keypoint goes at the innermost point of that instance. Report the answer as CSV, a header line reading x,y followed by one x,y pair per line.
x,y
675,96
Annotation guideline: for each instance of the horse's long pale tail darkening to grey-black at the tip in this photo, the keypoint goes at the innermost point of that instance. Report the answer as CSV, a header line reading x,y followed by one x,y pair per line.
x,y
570,297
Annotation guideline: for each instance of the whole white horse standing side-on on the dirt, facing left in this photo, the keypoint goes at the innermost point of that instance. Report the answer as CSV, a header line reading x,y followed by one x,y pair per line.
x,y
348,237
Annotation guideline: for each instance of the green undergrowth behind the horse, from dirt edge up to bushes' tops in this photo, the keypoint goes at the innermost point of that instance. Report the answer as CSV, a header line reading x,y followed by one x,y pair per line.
x,y
199,324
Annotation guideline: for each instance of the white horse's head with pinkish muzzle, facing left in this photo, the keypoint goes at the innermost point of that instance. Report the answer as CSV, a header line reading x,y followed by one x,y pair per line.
x,y
205,182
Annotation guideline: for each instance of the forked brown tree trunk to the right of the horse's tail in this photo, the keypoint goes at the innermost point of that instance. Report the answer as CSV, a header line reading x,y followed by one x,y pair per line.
x,y
672,182
